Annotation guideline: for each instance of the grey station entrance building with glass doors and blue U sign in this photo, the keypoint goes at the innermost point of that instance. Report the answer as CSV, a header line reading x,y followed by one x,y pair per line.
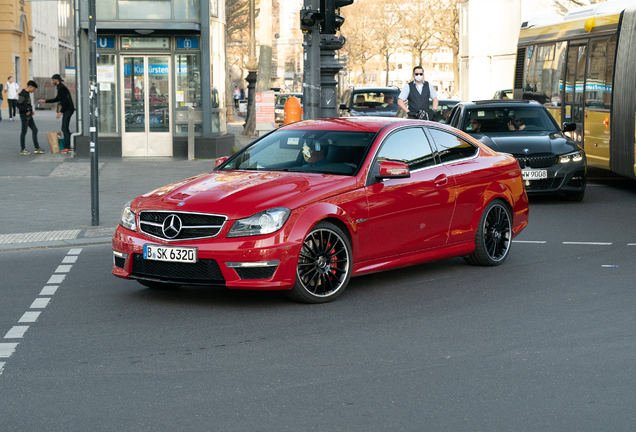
x,y
155,60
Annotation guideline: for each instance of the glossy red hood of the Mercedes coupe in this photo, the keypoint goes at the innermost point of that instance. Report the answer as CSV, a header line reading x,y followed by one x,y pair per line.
x,y
240,194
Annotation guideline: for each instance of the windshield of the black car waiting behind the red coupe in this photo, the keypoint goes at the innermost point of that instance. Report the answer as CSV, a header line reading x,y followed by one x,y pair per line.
x,y
508,119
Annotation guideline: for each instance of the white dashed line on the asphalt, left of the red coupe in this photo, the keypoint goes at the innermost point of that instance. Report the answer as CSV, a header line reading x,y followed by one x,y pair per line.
x,y
7,349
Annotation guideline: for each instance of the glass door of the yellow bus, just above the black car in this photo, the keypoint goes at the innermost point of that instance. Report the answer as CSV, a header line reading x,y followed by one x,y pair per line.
x,y
574,90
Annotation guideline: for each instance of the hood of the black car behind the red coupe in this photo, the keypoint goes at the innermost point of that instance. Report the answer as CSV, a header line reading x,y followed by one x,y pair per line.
x,y
528,142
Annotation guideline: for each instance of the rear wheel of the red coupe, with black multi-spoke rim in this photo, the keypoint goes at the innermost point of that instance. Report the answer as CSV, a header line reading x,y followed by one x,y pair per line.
x,y
493,237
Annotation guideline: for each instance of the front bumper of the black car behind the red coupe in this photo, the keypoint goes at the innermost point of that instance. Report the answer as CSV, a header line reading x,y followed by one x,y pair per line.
x,y
562,178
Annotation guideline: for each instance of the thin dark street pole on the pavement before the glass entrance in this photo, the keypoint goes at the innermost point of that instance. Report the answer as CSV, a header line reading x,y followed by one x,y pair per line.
x,y
92,53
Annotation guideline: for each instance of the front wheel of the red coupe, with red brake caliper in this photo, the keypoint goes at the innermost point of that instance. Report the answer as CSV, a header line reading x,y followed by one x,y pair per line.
x,y
324,265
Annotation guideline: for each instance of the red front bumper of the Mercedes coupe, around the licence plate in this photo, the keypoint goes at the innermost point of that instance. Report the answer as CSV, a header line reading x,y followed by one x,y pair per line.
x,y
256,263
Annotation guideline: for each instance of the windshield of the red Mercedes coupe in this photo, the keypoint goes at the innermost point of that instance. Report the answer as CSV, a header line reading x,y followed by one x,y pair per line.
x,y
324,152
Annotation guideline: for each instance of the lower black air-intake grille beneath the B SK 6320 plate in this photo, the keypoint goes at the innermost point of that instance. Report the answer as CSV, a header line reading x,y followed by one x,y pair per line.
x,y
203,271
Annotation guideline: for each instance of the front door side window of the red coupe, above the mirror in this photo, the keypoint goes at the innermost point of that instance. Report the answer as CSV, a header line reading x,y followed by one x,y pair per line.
x,y
409,146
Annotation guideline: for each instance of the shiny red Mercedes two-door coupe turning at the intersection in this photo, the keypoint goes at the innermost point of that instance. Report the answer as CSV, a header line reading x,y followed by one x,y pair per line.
x,y
314,203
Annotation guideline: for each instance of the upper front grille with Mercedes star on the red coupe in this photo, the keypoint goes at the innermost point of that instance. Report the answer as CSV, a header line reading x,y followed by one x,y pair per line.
x,y
193,225
